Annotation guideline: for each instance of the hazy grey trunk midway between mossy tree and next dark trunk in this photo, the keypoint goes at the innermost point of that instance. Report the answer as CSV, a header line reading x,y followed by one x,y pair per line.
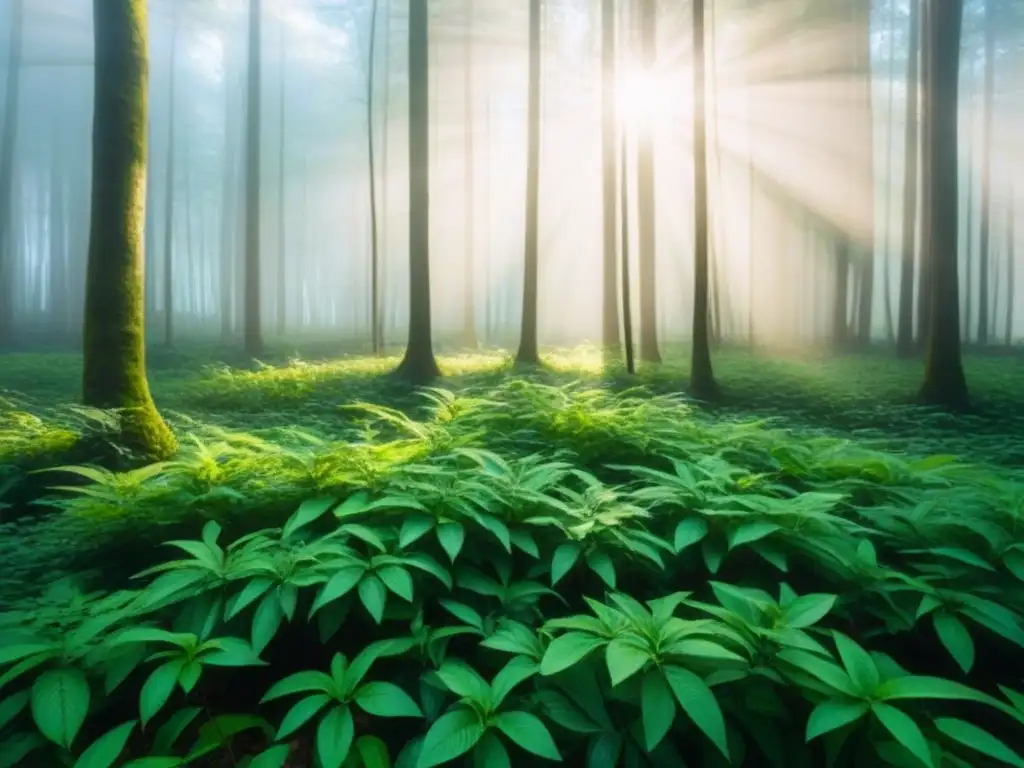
x,y
252,330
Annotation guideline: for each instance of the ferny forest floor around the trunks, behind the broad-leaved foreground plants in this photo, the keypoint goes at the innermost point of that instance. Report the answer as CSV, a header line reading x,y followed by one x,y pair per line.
x,y
259,443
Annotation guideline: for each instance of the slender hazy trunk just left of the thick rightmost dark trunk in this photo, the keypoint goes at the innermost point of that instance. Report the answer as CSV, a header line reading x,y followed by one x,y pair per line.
x,y
905,327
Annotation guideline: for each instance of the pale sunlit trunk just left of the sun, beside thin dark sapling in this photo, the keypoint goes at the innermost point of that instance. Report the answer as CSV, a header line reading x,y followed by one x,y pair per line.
x,y
610,305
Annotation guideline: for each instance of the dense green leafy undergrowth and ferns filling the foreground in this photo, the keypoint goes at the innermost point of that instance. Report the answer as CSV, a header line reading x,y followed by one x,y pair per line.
x,y
516,571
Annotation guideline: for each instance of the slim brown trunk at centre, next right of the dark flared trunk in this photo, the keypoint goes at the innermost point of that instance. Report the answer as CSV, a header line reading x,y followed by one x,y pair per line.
x,y
529,351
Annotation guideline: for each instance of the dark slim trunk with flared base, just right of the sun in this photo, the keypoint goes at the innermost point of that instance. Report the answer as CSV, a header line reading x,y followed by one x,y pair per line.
x,y
702,375
